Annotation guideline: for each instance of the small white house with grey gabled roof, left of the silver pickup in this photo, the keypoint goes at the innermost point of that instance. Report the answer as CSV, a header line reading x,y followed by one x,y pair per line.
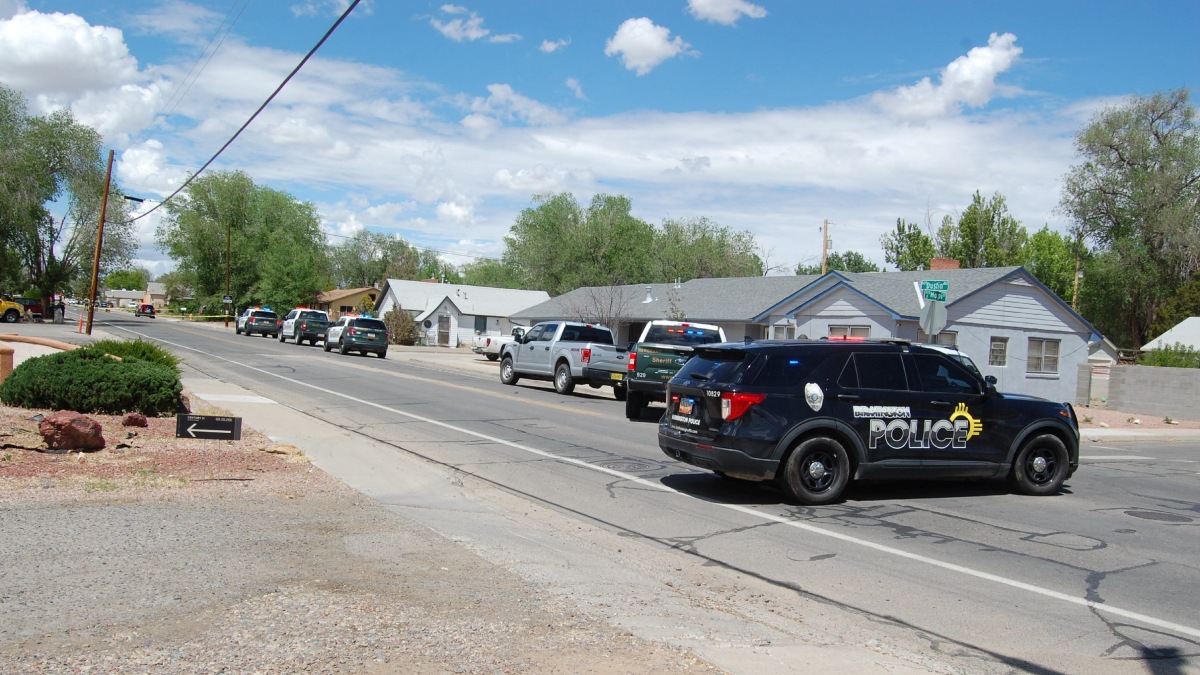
x,y
452,314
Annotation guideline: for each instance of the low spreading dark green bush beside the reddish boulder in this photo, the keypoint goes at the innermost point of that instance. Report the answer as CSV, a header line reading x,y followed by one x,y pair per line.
x,y
89,381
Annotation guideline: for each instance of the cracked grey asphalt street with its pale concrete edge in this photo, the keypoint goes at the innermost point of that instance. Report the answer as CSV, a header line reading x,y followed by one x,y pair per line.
x,y
1105,578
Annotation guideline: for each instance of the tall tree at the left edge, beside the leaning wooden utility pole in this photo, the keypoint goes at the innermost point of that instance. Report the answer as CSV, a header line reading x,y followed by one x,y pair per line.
x,y
53,160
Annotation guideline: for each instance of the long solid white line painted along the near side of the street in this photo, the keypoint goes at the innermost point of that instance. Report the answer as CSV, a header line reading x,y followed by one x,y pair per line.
x,y
779,519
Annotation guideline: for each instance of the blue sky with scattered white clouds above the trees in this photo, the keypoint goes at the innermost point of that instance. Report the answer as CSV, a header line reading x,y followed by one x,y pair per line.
x,y
440,123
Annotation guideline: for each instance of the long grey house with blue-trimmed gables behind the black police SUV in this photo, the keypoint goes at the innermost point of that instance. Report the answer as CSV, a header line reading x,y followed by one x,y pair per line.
x,y
1005,319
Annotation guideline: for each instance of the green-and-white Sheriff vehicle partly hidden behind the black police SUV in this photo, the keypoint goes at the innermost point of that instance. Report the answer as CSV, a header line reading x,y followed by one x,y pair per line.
x,y
658,355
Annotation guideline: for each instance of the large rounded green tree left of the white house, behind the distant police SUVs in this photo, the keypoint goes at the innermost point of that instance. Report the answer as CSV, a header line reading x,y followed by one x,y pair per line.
x,y
278,247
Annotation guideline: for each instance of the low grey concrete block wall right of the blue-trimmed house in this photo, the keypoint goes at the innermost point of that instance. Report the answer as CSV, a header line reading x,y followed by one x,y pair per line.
x,y
1150,391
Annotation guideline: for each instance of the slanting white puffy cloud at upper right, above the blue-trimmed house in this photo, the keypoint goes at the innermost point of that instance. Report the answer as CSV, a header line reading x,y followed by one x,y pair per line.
x,y
968,81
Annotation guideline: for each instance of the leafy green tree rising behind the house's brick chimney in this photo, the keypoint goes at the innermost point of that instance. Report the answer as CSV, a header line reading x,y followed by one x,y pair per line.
x,y
986,236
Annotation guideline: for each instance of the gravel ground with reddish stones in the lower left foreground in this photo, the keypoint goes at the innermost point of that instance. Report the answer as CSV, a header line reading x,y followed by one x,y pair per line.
x,y
160,555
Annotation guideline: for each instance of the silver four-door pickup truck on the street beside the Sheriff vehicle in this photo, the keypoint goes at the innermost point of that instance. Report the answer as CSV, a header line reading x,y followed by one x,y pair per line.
x,y
567,353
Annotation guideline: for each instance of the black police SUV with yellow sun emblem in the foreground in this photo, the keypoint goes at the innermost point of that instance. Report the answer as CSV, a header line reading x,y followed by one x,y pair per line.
x,y
813,415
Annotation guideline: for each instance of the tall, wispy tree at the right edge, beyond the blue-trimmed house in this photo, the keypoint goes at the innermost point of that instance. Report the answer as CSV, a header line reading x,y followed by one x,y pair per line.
x,y
1136,196
